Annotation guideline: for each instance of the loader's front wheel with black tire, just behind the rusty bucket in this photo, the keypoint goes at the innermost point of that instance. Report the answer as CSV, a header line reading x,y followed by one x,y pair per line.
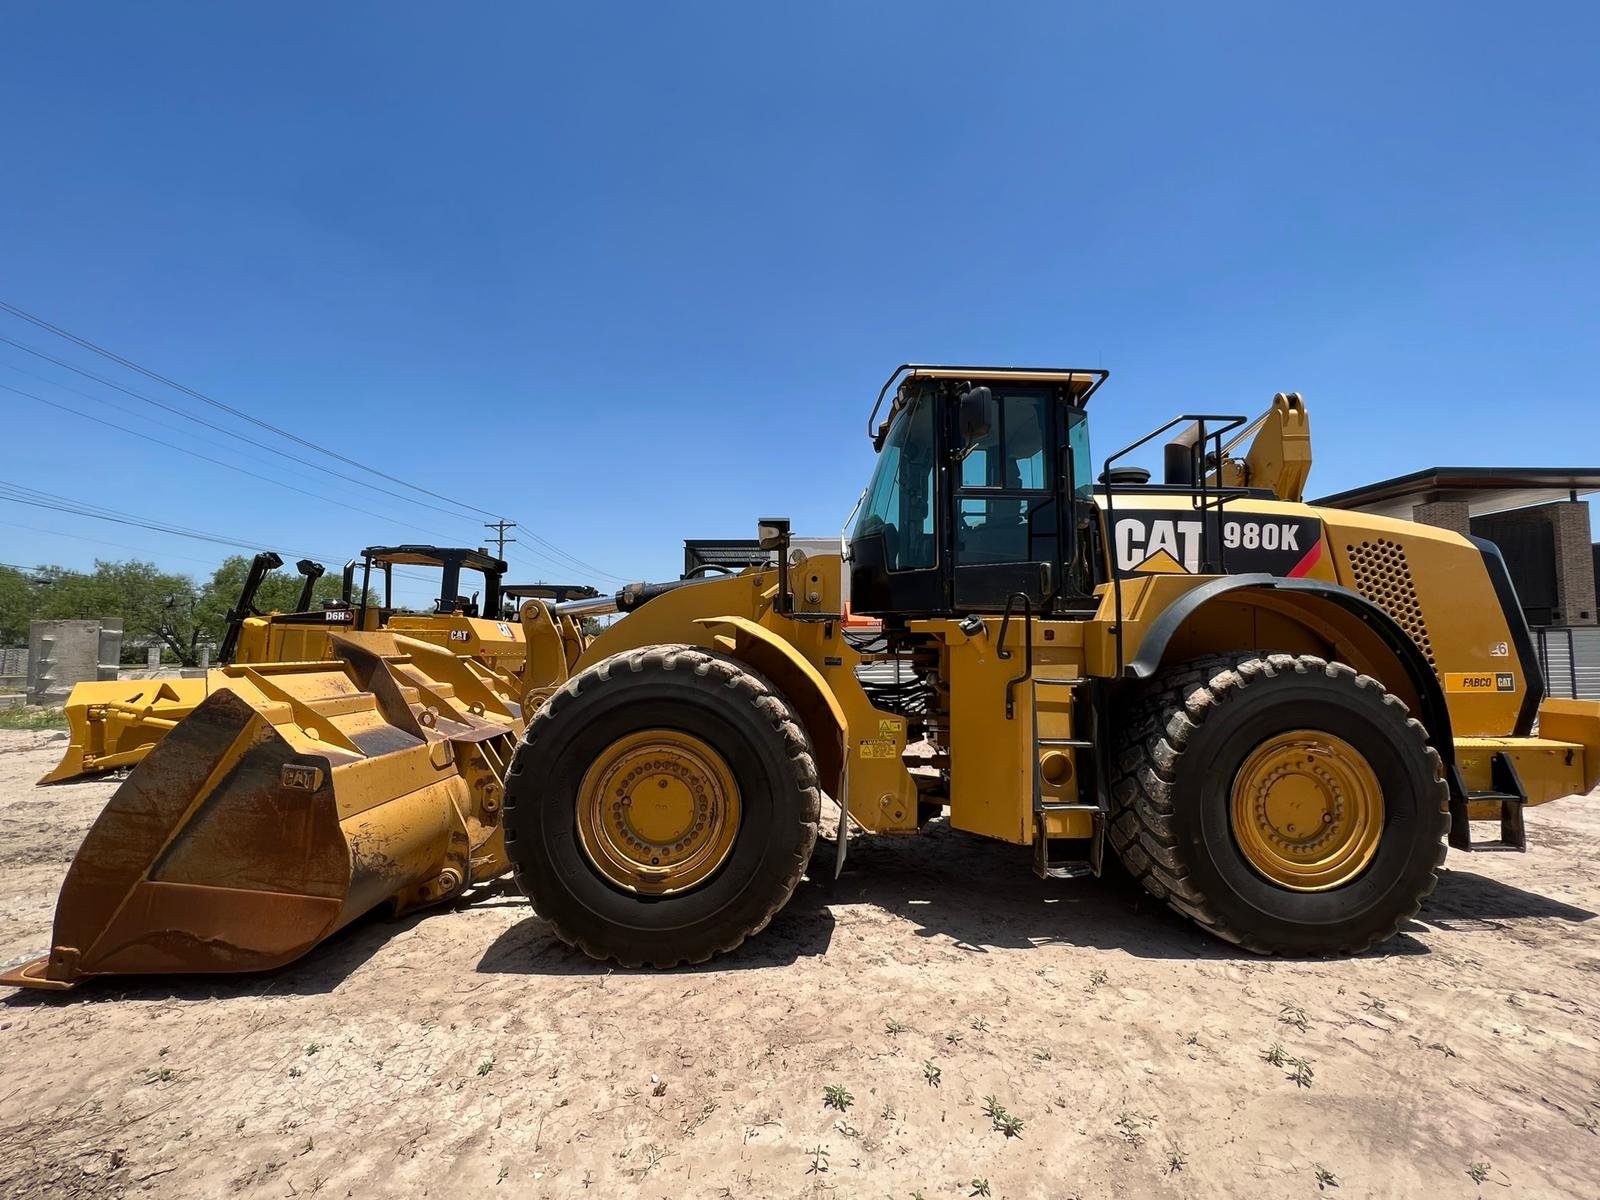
x,y
745,748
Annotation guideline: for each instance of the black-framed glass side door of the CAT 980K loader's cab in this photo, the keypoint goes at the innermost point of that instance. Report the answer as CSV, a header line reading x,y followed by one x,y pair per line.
x,y
1009,497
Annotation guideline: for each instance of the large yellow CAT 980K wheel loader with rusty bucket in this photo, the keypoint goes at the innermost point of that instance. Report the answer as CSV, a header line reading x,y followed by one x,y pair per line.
x,y
1276,716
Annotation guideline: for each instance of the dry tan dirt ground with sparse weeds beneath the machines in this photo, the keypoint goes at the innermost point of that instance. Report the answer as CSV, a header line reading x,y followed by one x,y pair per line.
x,y
465,1050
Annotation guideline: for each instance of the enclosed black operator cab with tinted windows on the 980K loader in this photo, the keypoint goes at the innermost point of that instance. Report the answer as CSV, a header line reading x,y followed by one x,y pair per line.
x,y
983,494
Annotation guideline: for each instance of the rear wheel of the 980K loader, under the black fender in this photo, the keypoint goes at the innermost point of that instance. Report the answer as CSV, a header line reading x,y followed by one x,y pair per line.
x,y
1198,820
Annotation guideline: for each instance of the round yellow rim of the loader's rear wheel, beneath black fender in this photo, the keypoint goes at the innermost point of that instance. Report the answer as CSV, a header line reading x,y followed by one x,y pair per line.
x,y
1308,810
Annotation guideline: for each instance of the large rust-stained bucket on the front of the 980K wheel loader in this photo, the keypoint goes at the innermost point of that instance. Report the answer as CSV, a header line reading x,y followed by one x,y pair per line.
x,y
286,806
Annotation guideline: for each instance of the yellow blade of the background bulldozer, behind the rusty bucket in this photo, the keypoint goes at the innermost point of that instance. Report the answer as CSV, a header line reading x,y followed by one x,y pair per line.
x,y
114,724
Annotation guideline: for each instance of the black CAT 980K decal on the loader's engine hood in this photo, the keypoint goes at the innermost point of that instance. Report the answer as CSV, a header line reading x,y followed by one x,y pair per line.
x,y
1191,543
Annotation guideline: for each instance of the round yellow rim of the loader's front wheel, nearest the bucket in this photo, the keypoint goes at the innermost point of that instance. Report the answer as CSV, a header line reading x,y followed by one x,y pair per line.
x,y
658,812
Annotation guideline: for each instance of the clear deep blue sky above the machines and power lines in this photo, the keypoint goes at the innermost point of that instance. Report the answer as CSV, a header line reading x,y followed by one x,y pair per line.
x,y
634,273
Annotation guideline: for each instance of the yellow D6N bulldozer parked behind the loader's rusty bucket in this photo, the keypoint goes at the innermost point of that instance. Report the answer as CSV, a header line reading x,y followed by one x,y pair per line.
x,y
114,724
